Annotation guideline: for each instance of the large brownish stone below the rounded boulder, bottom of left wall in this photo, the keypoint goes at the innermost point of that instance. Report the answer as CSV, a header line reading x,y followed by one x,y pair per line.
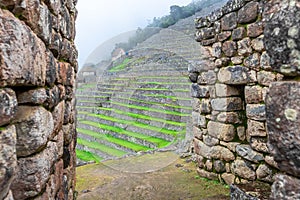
x,y
34,172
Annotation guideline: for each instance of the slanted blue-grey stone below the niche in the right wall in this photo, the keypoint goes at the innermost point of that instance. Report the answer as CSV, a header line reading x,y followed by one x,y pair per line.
x,y
246,152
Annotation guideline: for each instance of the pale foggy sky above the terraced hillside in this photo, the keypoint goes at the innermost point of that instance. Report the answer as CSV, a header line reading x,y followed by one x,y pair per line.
x,y
100,20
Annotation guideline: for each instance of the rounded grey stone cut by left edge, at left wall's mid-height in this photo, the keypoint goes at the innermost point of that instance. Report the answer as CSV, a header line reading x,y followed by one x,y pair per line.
x,y
8,105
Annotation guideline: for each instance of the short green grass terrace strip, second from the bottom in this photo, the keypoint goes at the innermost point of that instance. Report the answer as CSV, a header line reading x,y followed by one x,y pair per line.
x,y
101,147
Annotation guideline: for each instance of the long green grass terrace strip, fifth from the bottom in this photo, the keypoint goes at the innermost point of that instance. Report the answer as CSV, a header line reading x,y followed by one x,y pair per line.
x,y
134,123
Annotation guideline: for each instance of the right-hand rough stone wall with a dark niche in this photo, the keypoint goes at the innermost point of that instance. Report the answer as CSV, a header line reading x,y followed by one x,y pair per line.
x,y
246,94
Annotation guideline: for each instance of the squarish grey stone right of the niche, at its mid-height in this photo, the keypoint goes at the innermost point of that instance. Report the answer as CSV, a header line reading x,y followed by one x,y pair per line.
x,y
256,112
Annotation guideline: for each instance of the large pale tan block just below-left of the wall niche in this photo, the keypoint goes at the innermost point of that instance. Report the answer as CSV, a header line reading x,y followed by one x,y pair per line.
x,y
225,132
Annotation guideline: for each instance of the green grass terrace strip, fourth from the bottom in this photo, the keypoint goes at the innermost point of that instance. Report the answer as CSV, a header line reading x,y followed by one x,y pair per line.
x,y
157,141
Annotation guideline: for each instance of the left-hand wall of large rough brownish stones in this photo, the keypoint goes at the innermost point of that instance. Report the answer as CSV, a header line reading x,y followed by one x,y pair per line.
x,y
37,81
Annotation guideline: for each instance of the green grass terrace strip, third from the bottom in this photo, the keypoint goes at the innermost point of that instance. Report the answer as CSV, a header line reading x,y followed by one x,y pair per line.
x,y
109,138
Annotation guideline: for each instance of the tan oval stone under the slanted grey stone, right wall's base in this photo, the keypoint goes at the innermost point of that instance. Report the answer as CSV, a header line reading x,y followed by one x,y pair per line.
x,y
243,169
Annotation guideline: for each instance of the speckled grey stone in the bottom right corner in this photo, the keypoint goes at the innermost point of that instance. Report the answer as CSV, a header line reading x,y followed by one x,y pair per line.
x,y
285,187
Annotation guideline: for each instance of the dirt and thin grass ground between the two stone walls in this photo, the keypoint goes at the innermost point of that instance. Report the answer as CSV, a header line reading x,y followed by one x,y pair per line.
x,y
158,176
